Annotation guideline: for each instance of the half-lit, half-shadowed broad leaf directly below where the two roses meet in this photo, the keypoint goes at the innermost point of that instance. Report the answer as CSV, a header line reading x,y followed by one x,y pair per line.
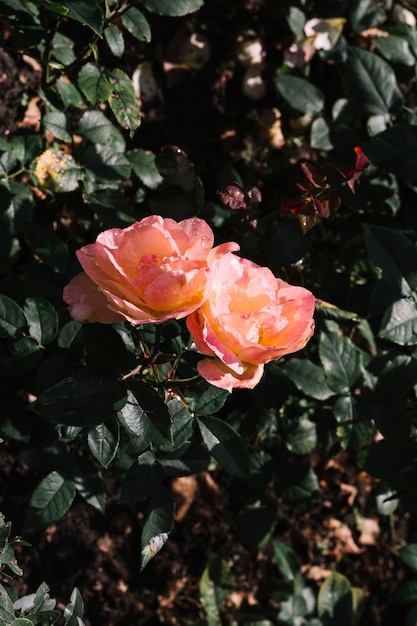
x,y
146,415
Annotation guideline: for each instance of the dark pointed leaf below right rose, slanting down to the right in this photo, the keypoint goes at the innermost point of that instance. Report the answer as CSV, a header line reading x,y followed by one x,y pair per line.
x,y
225,445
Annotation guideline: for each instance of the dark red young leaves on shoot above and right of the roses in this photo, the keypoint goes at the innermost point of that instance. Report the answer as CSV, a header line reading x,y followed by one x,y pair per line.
x,y
320,197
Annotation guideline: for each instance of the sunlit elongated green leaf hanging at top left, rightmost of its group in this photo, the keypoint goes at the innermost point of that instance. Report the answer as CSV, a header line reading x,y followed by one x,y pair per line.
x,y
122,101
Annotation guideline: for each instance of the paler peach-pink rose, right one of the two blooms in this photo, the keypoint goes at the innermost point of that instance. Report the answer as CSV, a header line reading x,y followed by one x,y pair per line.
x,y
250,318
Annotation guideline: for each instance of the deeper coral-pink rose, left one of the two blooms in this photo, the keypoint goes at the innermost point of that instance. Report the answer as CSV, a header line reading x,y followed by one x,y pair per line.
x,y
155,270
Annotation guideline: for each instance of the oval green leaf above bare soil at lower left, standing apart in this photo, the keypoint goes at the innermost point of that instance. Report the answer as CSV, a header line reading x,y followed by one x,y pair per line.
x,y
50,501
